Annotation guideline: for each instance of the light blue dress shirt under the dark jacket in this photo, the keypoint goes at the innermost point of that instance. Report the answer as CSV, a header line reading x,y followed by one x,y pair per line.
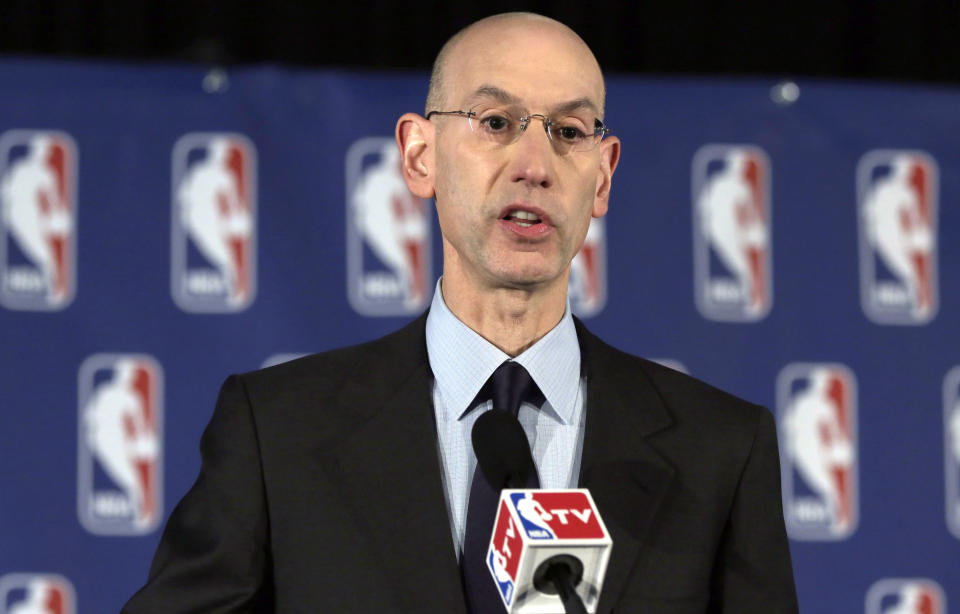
x,y
462,361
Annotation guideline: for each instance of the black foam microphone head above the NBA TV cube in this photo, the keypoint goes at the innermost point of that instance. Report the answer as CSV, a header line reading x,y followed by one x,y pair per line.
x,y
502,449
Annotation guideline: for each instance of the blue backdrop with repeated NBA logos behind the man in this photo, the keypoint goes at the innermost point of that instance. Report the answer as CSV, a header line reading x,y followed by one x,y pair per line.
x,y
164,226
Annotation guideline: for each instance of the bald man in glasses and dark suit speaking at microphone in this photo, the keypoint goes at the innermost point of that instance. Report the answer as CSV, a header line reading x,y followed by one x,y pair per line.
x,y
324,480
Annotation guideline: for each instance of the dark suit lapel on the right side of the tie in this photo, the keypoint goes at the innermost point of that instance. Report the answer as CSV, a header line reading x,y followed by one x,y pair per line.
x,y
627,477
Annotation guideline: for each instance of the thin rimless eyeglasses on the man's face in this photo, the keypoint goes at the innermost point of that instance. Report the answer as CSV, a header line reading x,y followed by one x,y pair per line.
x,y
502,127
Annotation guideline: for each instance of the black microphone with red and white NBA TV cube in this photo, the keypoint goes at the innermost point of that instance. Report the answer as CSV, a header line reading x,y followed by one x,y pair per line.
x,y
549,548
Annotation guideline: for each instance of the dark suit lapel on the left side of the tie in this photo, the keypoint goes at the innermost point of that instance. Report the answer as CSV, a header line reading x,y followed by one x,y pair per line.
x,y
389,470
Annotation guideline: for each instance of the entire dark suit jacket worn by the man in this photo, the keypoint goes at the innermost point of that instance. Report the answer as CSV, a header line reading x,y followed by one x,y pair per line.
x,y
320,491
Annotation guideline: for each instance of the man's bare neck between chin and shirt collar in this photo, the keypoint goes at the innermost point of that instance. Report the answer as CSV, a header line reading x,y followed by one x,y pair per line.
x,y
509,318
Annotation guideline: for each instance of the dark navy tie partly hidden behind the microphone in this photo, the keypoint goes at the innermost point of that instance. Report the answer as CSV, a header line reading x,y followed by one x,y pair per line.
x,y
509,387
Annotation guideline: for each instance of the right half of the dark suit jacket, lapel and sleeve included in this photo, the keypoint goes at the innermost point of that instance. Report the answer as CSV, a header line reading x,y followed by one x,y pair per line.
x,y
687,479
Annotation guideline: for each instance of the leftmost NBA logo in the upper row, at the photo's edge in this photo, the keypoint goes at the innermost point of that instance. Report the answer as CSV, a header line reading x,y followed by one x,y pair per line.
x,y
38,211
